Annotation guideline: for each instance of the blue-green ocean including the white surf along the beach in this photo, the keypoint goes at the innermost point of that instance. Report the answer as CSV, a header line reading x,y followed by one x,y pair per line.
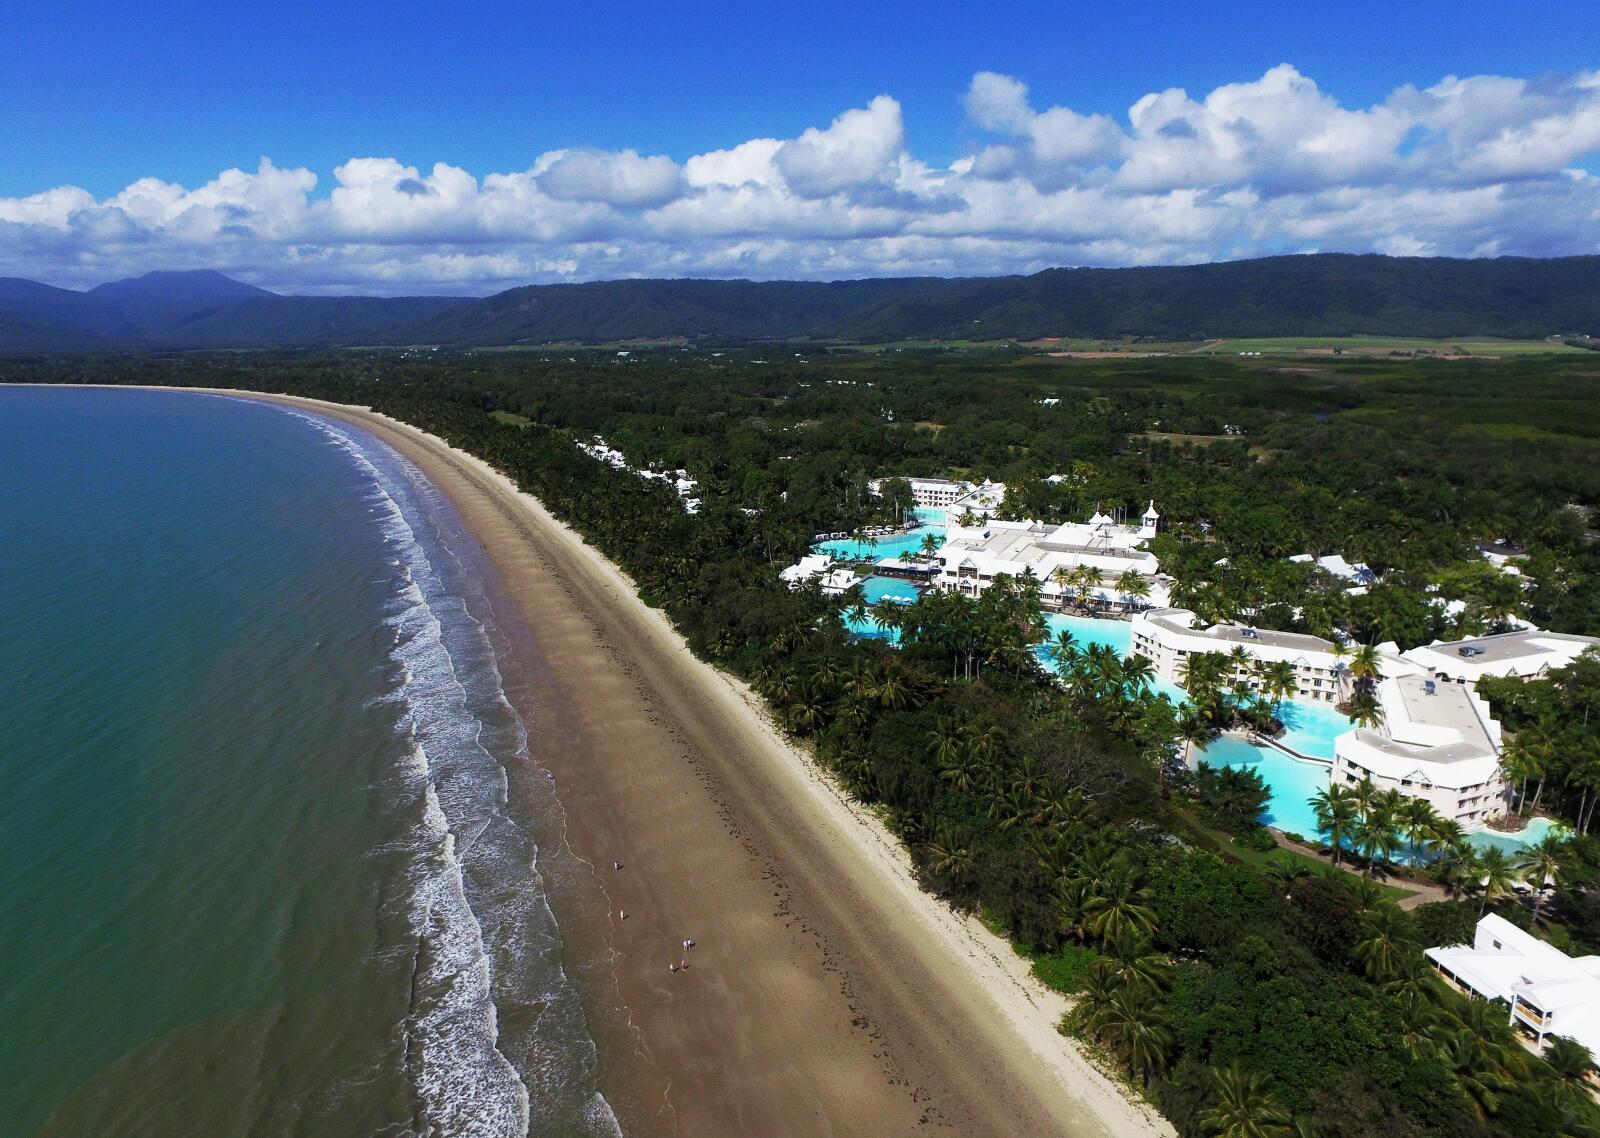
x,y
265,873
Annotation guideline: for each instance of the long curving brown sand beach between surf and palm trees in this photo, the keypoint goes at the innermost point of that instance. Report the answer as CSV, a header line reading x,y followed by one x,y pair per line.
x,y
826,995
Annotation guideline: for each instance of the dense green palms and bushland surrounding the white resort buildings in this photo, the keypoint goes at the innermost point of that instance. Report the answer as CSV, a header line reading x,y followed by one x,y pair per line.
x,y
1239,996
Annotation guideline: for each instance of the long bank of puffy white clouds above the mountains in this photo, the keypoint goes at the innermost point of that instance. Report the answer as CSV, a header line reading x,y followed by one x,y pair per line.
x,y
1468,167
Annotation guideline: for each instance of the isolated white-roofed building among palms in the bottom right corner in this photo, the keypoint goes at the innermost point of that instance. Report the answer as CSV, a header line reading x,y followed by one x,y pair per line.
x,y
1546,992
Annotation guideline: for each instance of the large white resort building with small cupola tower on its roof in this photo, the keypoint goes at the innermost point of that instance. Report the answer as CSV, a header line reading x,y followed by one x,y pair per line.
x,y
975,556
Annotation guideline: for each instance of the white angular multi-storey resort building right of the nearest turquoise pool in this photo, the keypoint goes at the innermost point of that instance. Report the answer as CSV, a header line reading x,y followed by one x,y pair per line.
x,y
1436,742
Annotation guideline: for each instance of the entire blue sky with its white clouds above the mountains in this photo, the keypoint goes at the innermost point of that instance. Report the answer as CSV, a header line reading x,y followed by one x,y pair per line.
x,y
100,97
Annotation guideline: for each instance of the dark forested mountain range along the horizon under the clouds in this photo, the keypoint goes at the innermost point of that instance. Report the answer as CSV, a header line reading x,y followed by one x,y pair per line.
x,y
1314,295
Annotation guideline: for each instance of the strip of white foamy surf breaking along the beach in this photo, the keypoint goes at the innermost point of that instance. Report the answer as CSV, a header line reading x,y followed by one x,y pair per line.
x,y
484,929
